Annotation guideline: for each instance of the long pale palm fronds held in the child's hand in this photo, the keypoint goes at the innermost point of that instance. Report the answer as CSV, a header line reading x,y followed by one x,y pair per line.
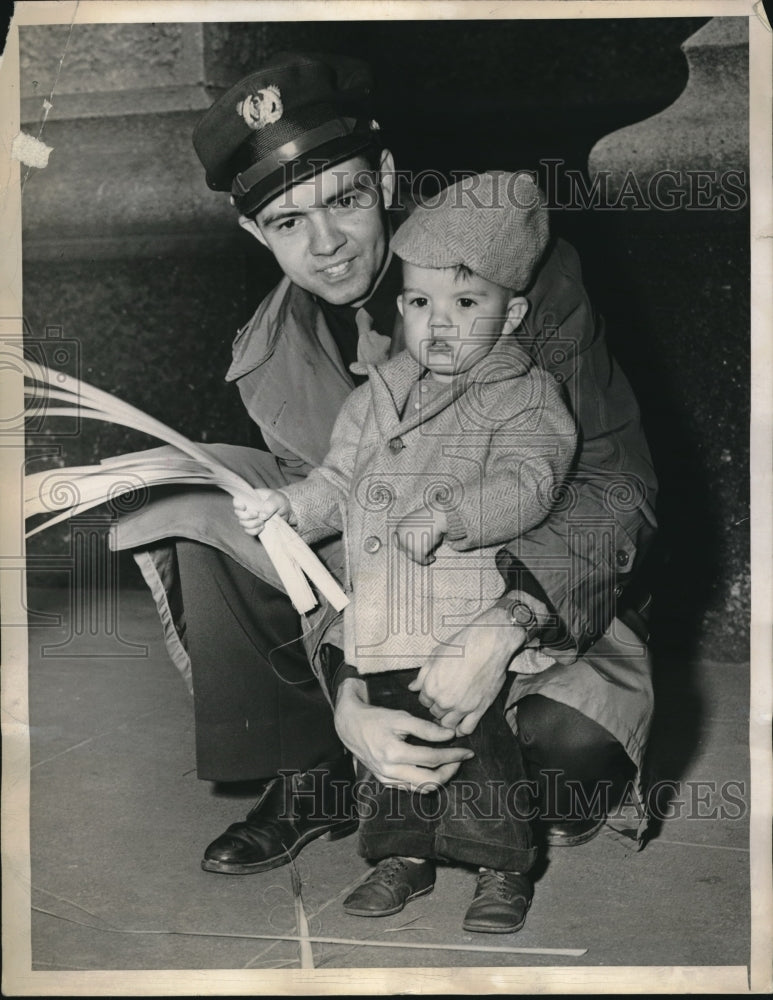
x,y
72,491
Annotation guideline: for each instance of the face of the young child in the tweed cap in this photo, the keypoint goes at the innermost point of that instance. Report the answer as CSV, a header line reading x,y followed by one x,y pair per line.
x,y
451,321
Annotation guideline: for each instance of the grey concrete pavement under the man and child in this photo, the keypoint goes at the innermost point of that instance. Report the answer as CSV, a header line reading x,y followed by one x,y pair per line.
x,y
119,821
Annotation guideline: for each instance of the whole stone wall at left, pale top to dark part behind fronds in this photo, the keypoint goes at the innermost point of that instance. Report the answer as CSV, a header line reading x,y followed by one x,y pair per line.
x,y
130,261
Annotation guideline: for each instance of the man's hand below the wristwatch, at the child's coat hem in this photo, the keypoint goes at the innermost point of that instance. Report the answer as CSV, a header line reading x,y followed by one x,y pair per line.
x,y
459,690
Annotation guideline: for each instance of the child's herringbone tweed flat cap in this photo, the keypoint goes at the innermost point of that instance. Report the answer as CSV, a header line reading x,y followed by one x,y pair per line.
x,y
496,224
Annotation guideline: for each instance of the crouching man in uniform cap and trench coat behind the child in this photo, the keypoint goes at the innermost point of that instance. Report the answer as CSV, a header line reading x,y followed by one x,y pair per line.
x,y
295,146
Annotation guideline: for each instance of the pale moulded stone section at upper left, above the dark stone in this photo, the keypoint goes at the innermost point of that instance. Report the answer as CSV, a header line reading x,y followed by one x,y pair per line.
x,y
123,179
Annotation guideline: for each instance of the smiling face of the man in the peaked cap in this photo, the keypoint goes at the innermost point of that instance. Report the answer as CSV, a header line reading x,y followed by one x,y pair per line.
x,y
329,234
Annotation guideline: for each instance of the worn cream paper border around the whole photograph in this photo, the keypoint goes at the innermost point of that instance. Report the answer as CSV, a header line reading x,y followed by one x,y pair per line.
x,y
18,977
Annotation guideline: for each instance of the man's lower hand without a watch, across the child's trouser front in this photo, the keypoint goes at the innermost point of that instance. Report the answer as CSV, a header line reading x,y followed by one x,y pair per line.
x,y
376,737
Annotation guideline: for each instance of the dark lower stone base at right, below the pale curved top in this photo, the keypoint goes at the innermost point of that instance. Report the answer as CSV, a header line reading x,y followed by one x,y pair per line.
x,y
676,302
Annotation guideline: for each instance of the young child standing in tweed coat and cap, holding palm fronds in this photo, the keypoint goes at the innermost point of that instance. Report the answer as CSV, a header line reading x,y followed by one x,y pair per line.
x,y
453,447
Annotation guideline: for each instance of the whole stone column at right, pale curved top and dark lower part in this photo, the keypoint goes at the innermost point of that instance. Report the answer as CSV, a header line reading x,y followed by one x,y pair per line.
x,y
676,237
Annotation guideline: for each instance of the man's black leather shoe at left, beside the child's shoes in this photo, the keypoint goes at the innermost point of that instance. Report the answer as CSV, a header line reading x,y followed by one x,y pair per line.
x,y
293,810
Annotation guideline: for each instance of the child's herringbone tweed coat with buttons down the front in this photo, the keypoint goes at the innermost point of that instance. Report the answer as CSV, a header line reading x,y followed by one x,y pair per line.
x,y
491,449
